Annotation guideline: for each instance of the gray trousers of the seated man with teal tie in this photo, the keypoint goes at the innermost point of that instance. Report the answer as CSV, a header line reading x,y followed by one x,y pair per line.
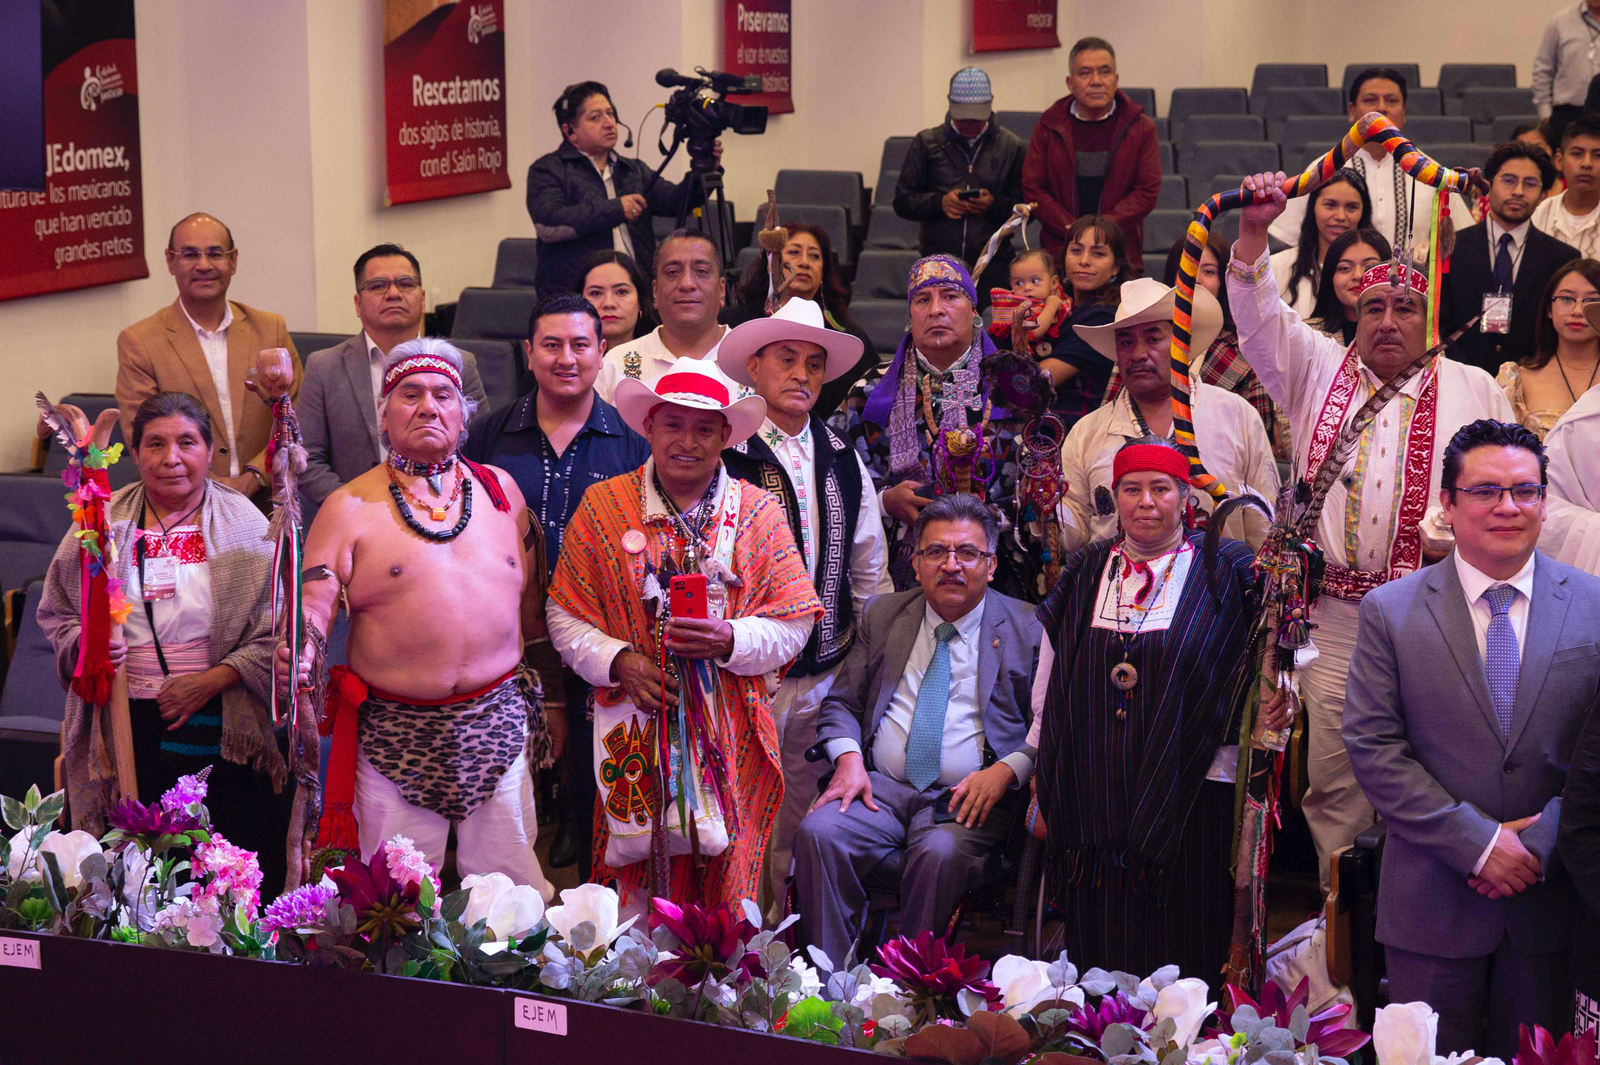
x,y
838,852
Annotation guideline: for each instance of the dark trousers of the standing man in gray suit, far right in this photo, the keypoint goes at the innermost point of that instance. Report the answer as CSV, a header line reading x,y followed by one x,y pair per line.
x,y
1481,1002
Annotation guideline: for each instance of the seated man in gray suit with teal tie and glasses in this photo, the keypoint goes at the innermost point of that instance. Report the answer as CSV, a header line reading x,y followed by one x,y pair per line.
x,y
927,730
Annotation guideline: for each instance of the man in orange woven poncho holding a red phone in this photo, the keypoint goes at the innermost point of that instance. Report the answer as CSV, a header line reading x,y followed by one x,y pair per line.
x,y
681,597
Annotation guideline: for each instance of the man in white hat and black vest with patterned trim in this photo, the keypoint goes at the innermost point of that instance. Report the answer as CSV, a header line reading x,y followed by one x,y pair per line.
x,y
833,513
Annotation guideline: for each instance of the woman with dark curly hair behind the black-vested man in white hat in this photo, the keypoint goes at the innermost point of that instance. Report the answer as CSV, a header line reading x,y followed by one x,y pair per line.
x,y
814,274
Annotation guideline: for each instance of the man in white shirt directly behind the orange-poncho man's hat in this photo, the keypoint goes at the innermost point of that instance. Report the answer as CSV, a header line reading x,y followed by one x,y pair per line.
x,y
690,292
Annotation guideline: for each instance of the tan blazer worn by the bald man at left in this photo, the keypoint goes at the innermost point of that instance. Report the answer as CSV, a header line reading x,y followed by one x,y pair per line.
x,y
162,354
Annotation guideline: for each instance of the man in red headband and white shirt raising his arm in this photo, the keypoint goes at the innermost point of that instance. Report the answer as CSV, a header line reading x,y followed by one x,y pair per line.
x,y
1377,513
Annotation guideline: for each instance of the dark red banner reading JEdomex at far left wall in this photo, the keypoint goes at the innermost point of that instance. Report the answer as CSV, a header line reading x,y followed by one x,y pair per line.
x,y
87,228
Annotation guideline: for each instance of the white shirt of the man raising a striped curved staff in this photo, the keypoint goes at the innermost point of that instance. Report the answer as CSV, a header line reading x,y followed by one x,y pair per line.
x,y
1298,367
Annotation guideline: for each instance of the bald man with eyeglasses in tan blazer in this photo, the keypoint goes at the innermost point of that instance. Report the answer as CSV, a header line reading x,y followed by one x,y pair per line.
x,y
206,345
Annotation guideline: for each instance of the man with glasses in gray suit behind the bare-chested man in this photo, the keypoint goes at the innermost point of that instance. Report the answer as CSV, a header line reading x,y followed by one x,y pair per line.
x,y
338,405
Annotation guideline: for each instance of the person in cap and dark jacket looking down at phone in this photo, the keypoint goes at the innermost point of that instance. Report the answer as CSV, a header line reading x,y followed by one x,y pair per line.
x,y
961,181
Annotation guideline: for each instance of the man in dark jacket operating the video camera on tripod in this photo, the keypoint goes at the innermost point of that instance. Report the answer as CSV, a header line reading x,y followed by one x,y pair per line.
x,y
585,197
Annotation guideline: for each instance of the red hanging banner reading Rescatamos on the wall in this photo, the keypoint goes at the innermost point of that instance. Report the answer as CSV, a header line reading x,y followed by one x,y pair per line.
x,y
444,98
